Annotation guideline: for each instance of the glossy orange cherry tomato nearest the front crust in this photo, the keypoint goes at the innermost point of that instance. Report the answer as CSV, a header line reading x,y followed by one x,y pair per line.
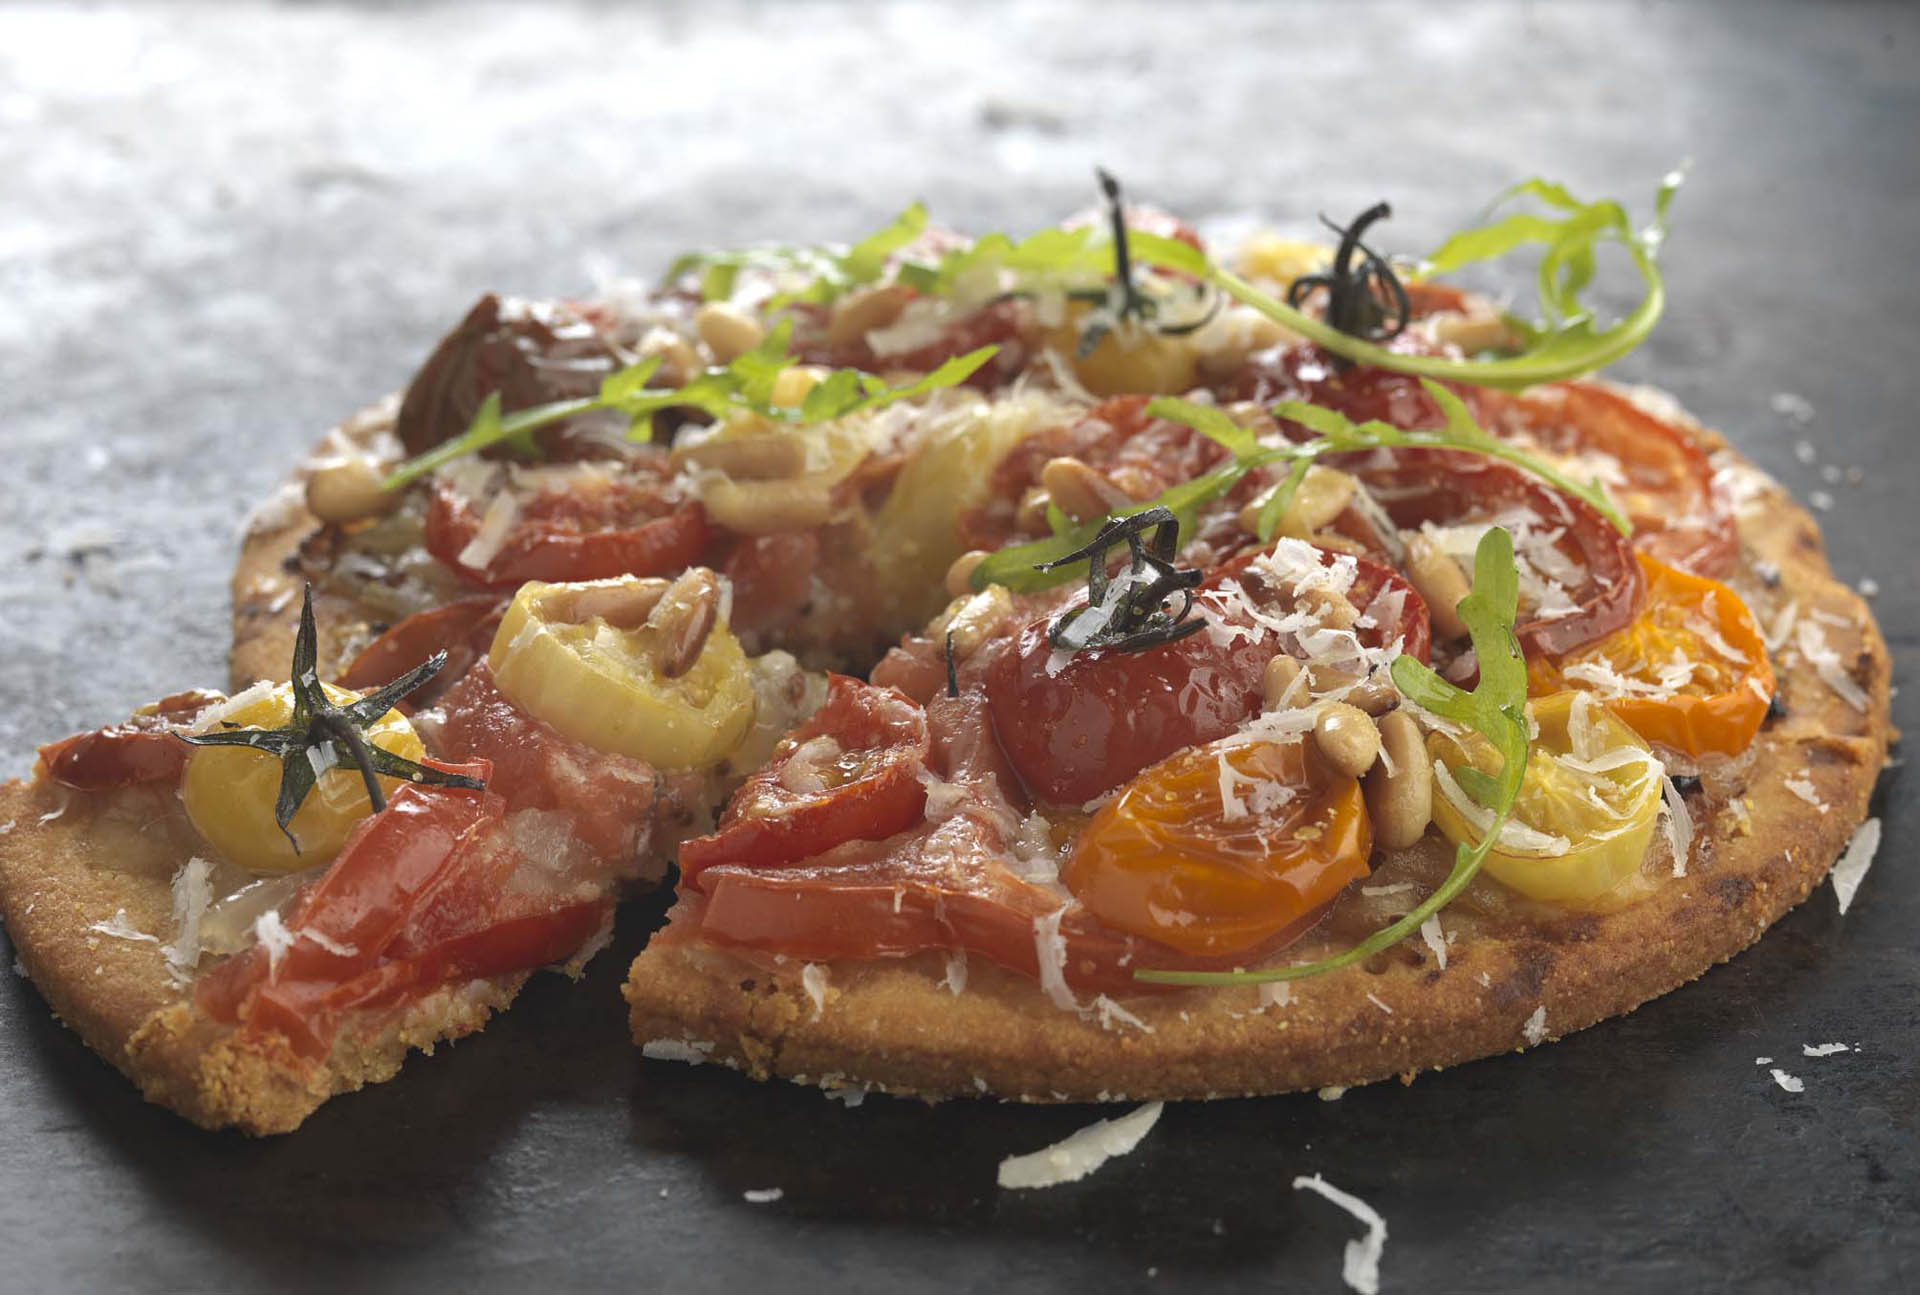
x,y
1220,848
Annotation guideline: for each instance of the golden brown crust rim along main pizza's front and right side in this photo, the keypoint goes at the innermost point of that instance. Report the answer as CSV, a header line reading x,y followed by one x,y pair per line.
x,y
900,1029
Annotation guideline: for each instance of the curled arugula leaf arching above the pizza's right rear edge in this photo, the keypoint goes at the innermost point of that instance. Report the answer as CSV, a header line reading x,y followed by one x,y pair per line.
x,y
1566,345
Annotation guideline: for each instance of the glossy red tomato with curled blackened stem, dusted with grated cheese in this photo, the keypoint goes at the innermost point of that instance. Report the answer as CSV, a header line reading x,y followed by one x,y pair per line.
x,y
1084,725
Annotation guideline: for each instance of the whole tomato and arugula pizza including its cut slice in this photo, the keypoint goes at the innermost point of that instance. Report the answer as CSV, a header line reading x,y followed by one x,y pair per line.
x,y
1061,668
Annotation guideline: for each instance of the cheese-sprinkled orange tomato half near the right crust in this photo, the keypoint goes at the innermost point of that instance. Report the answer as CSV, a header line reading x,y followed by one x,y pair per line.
x,y
1689,673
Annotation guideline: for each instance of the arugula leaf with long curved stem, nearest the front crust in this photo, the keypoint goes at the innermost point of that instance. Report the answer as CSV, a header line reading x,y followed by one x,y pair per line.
x,y
1497,710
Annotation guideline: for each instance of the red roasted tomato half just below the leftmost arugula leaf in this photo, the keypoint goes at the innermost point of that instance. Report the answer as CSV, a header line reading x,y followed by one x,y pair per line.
x,y
588,529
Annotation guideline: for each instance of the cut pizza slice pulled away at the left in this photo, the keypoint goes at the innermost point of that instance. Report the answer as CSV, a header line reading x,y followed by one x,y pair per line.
x,y
252,904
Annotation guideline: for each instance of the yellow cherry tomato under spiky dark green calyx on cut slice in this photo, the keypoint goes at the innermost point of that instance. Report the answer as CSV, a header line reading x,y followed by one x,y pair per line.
x,y
231,791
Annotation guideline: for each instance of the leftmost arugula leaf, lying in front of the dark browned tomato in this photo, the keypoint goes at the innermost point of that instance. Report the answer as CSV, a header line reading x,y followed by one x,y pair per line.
x,y
742,387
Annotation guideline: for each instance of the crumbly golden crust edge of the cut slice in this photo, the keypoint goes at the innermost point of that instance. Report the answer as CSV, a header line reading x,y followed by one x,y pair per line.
x,y
76,864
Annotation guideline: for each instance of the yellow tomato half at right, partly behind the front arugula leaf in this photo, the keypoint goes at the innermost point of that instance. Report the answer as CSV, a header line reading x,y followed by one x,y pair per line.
x,y
1585,814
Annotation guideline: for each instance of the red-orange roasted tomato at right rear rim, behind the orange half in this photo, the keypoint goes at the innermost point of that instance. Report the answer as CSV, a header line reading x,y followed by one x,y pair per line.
x,y
1654,470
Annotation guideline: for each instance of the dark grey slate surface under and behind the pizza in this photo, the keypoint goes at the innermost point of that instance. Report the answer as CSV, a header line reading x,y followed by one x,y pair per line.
x,y
224,228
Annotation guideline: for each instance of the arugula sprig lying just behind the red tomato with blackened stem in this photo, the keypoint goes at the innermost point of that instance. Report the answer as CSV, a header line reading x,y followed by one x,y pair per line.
x,y
1335,433
